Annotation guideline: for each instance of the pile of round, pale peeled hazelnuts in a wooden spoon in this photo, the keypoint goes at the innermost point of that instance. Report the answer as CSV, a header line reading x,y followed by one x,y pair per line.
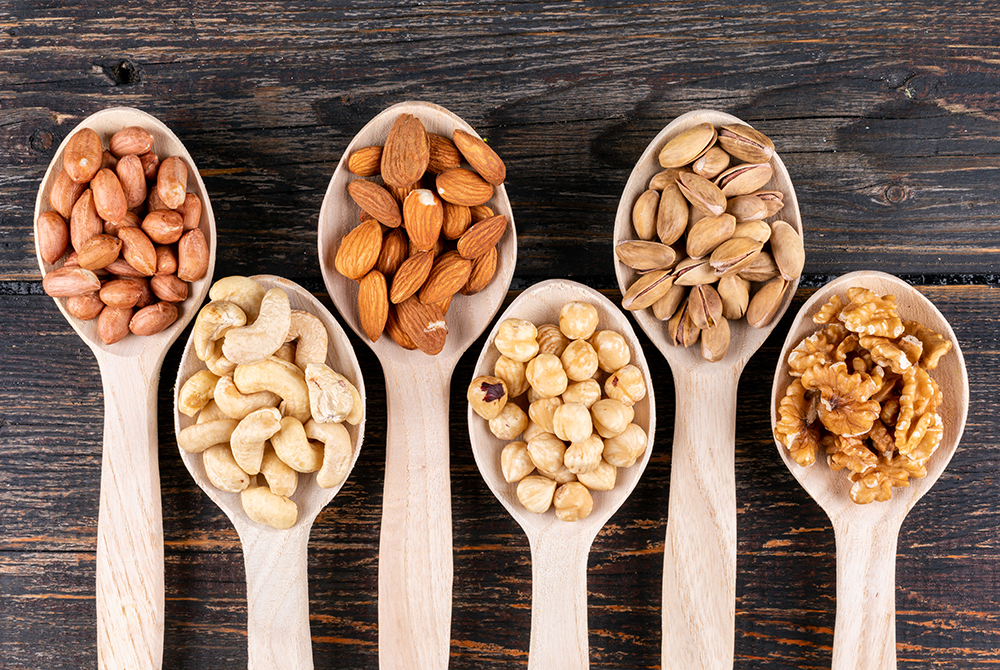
x,y
574,435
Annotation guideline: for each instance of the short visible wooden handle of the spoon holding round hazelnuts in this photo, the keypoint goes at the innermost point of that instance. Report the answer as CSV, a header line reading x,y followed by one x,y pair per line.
x,y
559,602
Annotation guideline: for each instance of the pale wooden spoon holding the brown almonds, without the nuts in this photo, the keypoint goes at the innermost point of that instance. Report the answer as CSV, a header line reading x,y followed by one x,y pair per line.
x,y
415,552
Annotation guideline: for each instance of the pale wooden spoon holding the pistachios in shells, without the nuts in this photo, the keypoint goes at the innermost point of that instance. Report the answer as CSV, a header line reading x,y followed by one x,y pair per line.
x,y
699,571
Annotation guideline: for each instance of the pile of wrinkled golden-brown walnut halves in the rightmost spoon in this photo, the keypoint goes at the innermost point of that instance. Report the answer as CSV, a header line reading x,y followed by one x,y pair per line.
x,y
863,395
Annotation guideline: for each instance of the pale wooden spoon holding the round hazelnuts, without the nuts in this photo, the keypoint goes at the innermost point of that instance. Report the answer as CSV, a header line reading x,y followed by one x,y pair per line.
x,y
559,549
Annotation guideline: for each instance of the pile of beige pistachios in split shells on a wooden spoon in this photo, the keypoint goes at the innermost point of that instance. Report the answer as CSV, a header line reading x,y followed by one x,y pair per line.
x,y
716,258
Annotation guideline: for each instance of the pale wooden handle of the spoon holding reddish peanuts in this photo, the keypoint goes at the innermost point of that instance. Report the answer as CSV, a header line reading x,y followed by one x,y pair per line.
x,y
129,591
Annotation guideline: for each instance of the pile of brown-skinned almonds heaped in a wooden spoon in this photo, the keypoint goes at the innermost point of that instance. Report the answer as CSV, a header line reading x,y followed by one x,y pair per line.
x,y
425,232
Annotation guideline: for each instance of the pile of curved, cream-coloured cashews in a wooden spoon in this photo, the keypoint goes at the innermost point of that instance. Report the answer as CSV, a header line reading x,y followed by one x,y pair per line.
x,y
267,405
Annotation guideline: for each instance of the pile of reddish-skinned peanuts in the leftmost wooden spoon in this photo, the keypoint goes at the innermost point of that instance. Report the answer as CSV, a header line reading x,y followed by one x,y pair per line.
x,y
132,231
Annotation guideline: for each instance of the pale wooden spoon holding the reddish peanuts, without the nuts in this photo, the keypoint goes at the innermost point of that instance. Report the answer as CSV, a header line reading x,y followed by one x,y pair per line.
x,y
130,526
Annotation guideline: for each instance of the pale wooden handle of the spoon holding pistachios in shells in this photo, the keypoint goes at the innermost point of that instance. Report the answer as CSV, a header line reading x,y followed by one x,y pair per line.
x,y
699,557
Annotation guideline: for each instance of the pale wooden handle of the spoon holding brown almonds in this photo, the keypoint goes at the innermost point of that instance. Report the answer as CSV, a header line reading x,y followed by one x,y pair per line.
x,y
415,551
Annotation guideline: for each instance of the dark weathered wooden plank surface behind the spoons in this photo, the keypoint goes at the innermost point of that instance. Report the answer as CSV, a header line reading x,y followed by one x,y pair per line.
x,y
886,114
